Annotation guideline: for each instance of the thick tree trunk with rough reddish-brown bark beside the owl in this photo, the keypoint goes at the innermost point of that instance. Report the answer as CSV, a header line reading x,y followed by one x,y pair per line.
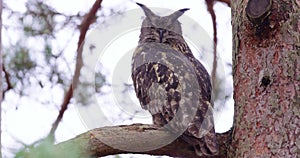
x,y
266,69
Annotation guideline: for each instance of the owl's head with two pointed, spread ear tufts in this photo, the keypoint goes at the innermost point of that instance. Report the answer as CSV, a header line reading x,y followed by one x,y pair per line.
x,y
161,26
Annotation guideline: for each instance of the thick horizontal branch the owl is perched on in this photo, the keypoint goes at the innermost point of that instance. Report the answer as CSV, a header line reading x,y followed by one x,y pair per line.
x,y
132,136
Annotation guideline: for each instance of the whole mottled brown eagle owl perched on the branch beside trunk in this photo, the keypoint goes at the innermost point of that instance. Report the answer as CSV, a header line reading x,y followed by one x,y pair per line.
x,y
172,84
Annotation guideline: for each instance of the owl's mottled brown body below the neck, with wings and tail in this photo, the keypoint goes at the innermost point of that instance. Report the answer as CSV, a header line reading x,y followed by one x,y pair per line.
x,y
176,89
